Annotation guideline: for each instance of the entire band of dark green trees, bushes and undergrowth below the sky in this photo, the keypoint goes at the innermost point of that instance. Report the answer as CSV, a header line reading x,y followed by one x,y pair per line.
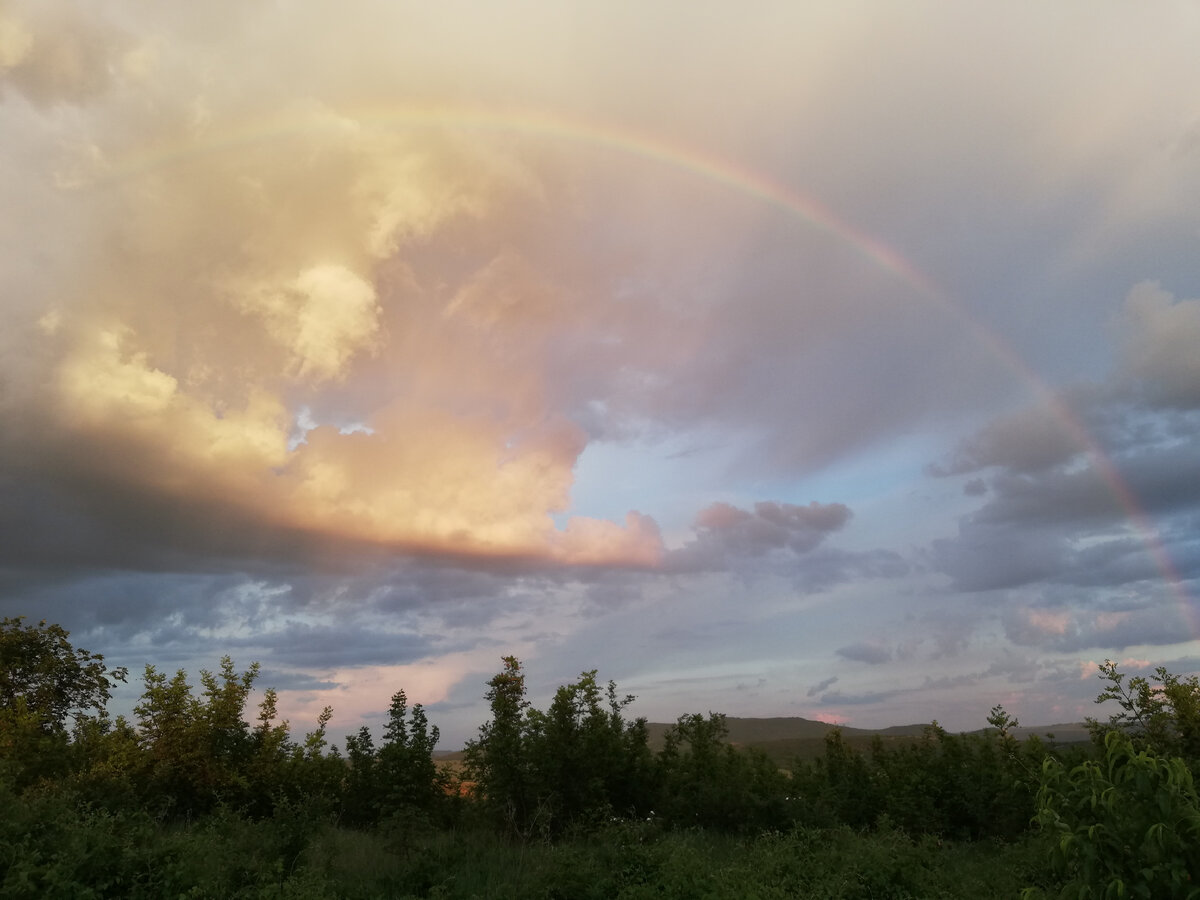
x,y
191,799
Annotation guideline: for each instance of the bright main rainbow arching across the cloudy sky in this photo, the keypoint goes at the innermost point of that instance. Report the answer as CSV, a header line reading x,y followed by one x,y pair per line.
x,y
710,167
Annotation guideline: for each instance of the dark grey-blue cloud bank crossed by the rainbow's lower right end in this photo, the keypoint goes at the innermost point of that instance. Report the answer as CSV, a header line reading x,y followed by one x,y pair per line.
x,y
1095,487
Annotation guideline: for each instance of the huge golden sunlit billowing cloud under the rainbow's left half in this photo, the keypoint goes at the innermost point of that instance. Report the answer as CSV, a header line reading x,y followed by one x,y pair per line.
x,y
229,305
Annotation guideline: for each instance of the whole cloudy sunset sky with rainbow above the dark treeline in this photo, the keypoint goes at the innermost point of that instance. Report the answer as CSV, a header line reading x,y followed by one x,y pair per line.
x,y
803,359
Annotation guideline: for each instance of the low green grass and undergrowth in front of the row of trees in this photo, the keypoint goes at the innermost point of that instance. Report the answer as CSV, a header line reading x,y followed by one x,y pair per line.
x,y
53,849
